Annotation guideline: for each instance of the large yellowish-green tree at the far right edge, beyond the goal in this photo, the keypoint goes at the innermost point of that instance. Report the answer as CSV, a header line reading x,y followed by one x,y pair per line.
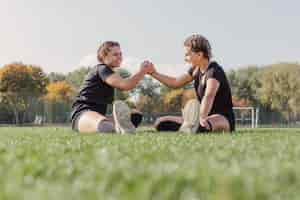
x,y
281,88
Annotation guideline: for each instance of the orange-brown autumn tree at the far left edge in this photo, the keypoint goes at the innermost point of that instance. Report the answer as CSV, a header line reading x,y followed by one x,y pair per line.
x,y
20,84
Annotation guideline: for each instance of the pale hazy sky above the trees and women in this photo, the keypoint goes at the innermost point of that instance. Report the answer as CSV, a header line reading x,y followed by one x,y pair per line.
x,y
61,35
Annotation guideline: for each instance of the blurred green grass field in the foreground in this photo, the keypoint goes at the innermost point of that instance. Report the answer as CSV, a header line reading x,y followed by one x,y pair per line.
x,y
55,163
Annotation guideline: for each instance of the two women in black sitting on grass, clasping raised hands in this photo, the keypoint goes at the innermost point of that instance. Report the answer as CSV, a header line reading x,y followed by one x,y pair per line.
x,y
211,111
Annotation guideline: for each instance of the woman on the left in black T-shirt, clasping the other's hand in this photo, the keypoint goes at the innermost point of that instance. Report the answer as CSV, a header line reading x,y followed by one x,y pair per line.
x,y
97,91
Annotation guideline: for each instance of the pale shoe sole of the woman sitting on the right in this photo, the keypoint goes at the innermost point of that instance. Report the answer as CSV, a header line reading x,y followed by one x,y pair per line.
x,y
190,115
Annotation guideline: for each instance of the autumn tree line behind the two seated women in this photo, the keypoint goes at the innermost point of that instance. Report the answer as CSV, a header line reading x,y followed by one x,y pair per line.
x,y
26,91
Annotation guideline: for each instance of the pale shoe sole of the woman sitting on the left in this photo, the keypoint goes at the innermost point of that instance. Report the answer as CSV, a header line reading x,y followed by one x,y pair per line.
x,y
121,114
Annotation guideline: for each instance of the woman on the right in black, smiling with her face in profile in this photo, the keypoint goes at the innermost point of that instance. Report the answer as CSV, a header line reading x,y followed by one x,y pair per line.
x,y
215,110
